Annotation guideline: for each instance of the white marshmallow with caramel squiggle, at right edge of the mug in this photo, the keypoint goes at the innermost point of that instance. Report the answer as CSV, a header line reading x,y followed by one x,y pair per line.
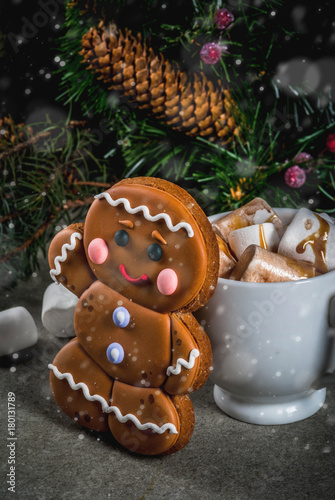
x,y
311,238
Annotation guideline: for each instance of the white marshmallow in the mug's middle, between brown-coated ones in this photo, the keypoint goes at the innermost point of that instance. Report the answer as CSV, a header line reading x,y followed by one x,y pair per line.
x,y
263,235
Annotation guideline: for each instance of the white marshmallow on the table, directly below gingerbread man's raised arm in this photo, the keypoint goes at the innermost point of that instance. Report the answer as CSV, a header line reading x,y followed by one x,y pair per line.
x,y
58,309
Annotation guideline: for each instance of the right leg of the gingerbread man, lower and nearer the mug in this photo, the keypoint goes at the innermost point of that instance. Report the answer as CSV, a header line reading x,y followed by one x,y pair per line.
x,y
148,421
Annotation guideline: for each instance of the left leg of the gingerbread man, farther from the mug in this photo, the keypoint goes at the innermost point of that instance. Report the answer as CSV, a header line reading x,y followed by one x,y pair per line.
x,y
80,387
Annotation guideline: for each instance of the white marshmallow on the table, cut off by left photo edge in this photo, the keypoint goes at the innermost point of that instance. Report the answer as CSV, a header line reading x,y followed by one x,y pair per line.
x,y
17,331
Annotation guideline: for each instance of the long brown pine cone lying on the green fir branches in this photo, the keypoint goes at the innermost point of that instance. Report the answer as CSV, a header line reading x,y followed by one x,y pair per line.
x,y
187,103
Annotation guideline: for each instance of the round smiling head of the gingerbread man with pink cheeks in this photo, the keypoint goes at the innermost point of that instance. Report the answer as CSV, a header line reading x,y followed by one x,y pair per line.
x,y
145,243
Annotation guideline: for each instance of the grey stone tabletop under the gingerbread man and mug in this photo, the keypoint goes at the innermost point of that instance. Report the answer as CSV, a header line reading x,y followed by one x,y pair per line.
x,y
226,459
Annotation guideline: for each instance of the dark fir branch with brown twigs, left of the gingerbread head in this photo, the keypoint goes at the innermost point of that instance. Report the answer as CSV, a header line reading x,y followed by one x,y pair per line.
x,y
54,182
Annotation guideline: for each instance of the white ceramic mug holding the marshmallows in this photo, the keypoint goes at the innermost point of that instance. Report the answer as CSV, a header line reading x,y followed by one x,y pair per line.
x,y
272,346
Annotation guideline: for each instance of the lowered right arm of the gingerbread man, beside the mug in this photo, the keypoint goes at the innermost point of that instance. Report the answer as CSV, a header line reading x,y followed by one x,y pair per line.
x,y
191,355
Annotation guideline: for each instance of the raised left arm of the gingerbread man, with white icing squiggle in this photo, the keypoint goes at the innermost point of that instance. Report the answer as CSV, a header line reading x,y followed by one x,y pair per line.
x,y
68,262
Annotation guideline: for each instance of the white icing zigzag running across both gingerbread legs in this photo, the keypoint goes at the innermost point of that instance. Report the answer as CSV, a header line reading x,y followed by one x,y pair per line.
x,y
111,409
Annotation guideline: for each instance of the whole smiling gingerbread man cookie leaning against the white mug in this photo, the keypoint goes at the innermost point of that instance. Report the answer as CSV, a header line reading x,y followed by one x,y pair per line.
x,y
145,258
